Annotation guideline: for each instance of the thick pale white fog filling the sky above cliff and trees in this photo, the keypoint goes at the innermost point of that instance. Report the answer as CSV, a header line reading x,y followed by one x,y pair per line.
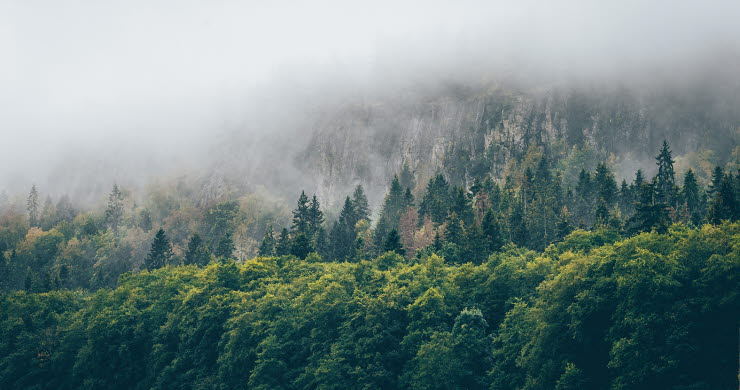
x,y
93,92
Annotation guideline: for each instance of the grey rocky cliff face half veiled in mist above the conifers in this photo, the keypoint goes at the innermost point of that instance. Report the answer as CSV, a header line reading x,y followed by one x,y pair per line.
x,y
468,134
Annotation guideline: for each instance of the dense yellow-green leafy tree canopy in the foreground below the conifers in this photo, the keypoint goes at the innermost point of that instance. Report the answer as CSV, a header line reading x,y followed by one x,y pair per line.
x,y
593,311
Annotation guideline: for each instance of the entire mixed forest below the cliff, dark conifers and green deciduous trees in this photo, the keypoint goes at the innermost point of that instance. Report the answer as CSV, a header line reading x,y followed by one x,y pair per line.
x,y
536,281
